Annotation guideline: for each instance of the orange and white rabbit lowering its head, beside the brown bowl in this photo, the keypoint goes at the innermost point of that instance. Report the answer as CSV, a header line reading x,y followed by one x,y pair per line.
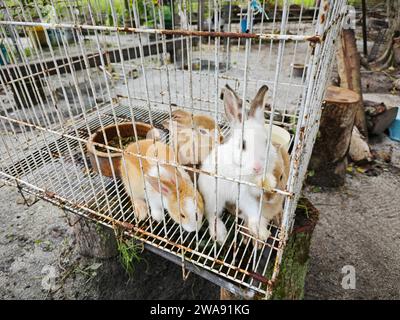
x,y
184,204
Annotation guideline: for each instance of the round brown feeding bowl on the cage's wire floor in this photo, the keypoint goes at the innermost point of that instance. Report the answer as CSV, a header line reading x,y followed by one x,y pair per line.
x,y
126,130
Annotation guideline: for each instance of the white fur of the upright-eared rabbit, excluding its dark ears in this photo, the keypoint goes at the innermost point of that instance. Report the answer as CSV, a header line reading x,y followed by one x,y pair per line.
x,y
256,136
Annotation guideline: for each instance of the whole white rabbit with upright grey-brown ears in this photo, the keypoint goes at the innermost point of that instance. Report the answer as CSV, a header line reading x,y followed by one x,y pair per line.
x,y
254,150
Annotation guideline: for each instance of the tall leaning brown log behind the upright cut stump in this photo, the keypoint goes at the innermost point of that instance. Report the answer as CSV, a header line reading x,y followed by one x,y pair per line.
x,y
349,65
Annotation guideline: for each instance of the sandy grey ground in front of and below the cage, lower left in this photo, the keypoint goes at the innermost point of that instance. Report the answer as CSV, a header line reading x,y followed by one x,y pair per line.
x,y
37,245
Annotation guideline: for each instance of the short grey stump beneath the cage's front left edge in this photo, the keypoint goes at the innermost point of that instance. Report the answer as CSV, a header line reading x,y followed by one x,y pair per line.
x,y
93,239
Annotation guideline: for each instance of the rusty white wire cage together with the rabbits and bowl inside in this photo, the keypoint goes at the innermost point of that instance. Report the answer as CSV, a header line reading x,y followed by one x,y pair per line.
x,y
187,123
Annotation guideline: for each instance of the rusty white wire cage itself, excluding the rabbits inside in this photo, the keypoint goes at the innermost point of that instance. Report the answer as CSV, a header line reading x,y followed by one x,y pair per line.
x,y
70,69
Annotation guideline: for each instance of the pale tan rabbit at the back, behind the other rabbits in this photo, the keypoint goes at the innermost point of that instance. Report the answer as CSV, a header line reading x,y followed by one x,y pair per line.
x,y
192,145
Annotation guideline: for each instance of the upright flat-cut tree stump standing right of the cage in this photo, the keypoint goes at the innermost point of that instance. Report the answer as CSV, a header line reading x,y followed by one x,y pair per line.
x,y
329,158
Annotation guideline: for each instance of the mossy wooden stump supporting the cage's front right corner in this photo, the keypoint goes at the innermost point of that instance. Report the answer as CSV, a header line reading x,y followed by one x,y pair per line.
x,y
290,282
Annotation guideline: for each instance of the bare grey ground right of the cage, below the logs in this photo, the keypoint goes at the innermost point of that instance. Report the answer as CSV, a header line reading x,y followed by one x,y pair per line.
x,y
359,226
